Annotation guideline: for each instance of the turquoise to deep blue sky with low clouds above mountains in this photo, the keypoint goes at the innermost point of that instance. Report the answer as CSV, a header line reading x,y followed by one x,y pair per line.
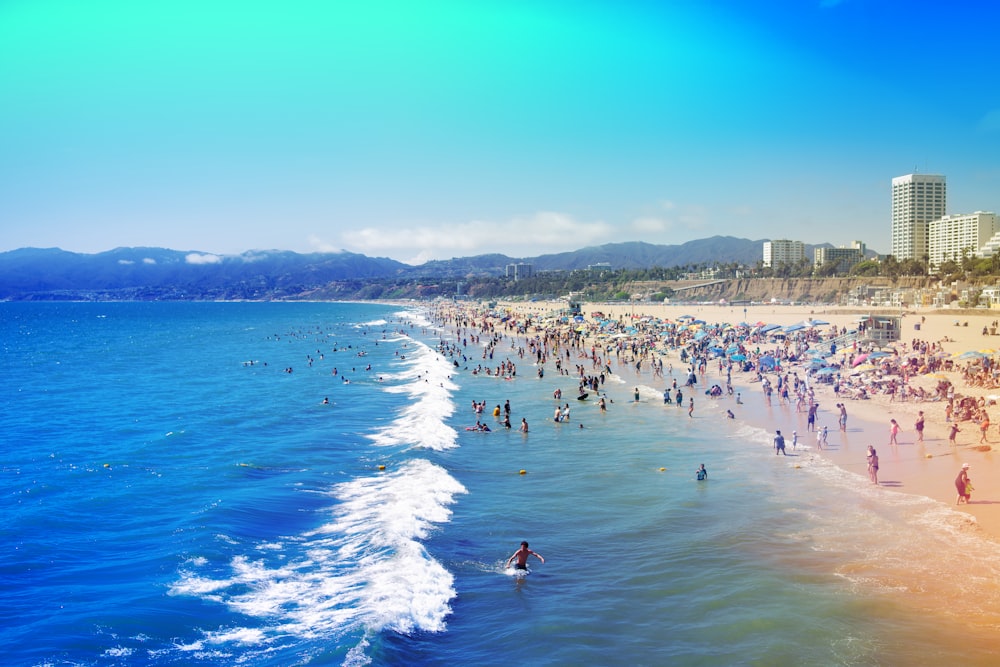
x,y
434,129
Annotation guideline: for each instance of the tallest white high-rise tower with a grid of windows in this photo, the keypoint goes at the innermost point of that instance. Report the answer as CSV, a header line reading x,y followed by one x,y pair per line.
x,y
917,199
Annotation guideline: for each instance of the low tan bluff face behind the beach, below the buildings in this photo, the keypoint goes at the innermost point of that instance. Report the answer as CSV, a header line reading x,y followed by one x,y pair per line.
x,y
821,290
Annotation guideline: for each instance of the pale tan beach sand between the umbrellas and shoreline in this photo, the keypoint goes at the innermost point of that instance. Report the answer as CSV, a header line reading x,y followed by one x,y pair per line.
x,y
928,468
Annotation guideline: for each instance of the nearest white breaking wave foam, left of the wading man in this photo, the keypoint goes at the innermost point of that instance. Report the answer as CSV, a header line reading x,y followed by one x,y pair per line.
x,y
365,571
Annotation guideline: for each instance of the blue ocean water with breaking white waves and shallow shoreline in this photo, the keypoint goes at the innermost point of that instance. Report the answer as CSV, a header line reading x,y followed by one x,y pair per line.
x,y
176,491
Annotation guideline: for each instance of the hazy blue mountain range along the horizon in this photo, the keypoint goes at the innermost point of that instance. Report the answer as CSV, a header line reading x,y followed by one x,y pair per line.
x,y
158,273
